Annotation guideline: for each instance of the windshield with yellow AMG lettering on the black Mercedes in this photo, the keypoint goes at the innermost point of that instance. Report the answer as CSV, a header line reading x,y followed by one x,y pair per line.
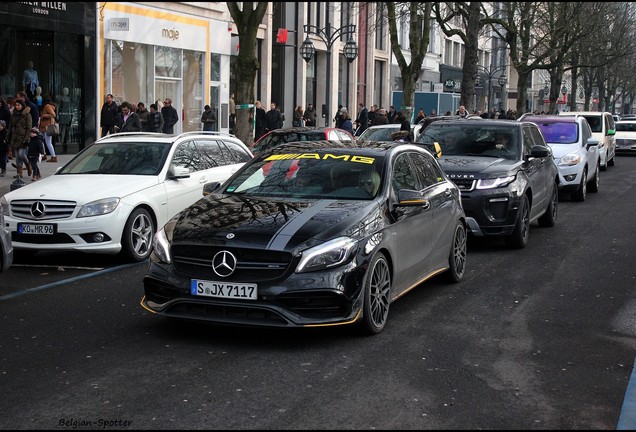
x,y
333,173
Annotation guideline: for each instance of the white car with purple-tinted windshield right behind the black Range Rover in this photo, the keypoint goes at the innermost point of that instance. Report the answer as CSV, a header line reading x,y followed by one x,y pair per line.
x,y
575,152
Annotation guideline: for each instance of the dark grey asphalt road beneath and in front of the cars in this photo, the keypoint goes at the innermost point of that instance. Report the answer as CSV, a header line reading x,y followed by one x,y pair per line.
x,y
539,338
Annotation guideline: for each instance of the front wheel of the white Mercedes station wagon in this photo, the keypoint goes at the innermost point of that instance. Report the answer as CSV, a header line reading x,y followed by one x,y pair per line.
x,y
137,236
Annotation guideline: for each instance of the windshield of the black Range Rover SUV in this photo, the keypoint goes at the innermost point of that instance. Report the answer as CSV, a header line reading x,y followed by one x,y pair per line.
x,y
473,139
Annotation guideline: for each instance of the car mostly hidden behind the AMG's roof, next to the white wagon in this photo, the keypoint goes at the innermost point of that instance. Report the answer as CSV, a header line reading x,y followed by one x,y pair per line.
x,y
303,133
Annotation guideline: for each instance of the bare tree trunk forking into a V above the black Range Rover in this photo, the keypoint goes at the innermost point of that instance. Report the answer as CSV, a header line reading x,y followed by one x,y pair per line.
x,y
419,26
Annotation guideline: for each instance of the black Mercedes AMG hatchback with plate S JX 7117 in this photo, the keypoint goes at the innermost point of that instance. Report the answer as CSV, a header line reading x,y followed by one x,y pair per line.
x,y
351,232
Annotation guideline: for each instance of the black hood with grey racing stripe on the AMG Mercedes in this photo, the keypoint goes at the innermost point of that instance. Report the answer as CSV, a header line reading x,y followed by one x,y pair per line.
x,y
282,225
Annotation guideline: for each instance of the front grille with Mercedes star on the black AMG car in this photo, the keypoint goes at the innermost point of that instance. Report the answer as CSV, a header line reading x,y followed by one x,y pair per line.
x,y
253,265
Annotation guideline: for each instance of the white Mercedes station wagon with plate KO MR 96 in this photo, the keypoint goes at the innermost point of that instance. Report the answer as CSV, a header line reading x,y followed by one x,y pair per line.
x,y
112,196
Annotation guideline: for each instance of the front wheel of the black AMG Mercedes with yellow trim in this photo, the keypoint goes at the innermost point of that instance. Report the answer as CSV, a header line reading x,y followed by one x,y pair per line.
x,y
377,295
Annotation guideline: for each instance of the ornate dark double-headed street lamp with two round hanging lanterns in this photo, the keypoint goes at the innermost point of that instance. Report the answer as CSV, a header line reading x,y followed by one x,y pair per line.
x,y
329,35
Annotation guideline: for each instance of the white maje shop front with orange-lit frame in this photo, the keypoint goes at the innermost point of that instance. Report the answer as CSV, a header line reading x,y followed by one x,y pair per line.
x,y
149,55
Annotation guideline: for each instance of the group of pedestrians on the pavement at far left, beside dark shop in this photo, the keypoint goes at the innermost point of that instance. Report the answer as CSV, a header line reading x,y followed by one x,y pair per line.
x,y
25,136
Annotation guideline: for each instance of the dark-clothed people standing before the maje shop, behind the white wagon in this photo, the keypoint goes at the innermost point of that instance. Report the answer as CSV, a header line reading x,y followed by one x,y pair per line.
x,y
161,117
